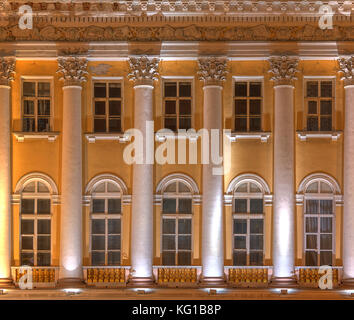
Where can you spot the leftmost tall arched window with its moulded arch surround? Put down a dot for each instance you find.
(36, 193)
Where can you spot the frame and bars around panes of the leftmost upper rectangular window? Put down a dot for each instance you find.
(51, 97)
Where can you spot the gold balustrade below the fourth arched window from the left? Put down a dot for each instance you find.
(248, 277)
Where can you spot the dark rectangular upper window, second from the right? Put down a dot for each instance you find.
(248, 106)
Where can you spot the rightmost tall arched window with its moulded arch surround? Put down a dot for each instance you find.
(319, 192)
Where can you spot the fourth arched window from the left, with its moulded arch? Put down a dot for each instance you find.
(248, 219)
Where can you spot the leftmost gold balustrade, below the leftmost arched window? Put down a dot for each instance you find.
(42, 277)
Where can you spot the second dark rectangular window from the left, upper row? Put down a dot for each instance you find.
(107, 107)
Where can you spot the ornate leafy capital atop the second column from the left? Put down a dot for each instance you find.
(73, 70)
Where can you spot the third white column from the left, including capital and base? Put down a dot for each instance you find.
(143, 72)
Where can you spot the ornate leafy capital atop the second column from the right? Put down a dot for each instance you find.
(283, 69)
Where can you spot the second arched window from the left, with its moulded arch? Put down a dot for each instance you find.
(106, 193)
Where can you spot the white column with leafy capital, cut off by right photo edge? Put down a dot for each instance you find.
(347, 67)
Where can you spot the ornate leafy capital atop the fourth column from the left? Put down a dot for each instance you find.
(212, 70)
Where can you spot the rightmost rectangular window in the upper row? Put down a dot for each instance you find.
(319, 103)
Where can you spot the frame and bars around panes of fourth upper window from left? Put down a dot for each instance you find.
(247, 79)
